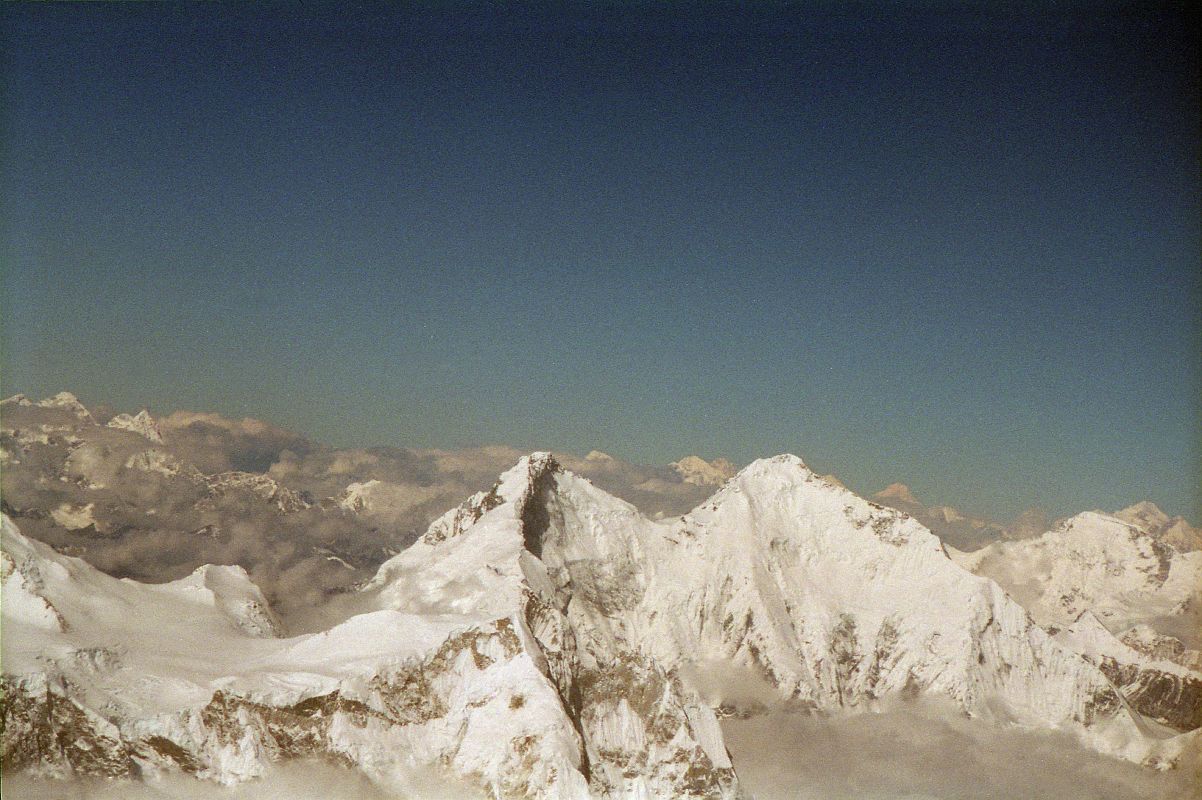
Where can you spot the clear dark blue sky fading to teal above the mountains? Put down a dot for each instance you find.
(906, 242)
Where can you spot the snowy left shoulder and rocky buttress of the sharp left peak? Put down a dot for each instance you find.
(461, 654)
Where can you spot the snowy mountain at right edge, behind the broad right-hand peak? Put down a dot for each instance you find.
(1097, 581)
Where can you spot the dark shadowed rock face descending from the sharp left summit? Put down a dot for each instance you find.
(600, 683)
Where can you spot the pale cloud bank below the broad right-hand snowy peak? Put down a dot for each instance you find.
(930, 751)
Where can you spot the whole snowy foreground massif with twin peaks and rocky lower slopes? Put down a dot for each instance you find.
(548, 641)
